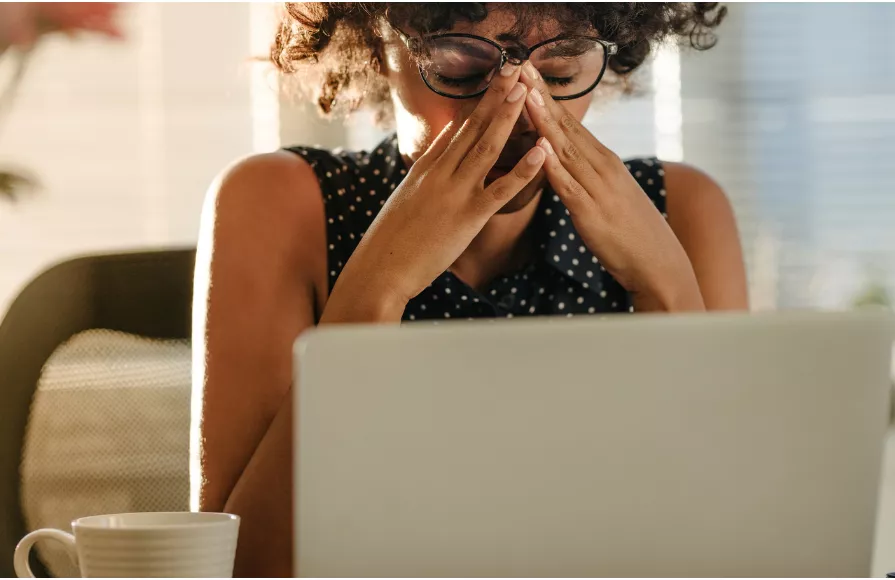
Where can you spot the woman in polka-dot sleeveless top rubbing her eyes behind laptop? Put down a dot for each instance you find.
(491, 200)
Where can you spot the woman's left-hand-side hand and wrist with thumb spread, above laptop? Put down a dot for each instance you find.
(440, 206)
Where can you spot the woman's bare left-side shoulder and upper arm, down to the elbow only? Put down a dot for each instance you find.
(259, 262)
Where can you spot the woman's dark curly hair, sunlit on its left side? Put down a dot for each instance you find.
(337, 47)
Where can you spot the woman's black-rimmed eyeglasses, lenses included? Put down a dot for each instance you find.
(461, 66)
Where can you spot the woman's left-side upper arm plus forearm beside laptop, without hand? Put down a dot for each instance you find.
(258, 269)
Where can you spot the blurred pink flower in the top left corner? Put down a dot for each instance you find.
(22, 23)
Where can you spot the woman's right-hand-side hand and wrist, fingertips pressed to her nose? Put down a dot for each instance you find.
(615, 218)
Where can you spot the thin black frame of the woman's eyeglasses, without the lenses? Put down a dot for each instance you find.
(609, 49)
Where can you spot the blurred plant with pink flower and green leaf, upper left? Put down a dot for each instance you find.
(22, 26)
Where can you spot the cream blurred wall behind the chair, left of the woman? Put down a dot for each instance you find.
(126, 136)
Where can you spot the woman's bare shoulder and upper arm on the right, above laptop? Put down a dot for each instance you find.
(702, 218)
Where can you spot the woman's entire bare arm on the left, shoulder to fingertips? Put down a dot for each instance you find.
(261, 276)
